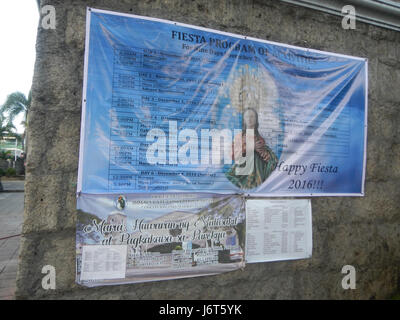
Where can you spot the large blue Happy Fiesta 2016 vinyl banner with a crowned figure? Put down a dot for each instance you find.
(169, 107)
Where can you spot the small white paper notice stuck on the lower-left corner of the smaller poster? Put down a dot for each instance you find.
(100, 262)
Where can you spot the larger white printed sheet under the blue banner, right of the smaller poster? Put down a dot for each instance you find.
(278, 230)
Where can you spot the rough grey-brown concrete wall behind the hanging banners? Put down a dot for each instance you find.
(363, 232)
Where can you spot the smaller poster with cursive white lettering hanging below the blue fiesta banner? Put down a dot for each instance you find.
(130, 238)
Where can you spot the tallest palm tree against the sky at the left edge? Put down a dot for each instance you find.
(15, 104)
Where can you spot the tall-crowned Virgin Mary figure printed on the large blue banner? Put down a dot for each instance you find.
(248, 90)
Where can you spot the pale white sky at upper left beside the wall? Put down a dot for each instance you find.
(19, 20)
